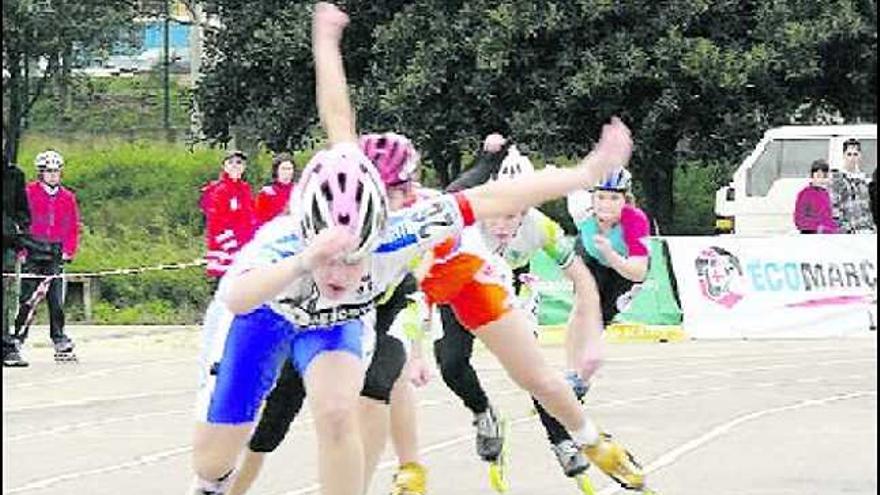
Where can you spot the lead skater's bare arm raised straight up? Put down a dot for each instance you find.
(331, 88)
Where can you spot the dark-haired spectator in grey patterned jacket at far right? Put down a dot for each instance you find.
(849, 193)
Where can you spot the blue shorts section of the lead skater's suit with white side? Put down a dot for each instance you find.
(241, 372)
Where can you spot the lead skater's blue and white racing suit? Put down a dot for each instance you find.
(242, 358)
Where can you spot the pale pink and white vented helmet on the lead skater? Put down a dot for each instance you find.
(341, 187)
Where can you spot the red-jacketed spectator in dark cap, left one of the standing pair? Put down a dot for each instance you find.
(229, 214)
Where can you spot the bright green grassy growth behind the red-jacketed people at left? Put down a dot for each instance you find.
(139, 207)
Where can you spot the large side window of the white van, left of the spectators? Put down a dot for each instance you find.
(784, 159)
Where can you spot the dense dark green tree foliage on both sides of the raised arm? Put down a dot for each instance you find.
(694, 79)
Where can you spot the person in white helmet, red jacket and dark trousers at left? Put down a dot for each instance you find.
(54, 231)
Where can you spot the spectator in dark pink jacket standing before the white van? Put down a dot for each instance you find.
(812, 211)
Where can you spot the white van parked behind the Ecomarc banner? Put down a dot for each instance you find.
(761, 197)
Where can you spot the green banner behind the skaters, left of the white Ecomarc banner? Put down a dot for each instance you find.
(653, 304)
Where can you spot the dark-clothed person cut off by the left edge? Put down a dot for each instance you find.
(16, 222)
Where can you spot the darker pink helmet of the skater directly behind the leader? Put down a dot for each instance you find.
(394, 156)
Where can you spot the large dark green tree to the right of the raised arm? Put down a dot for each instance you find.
(694, 79)
